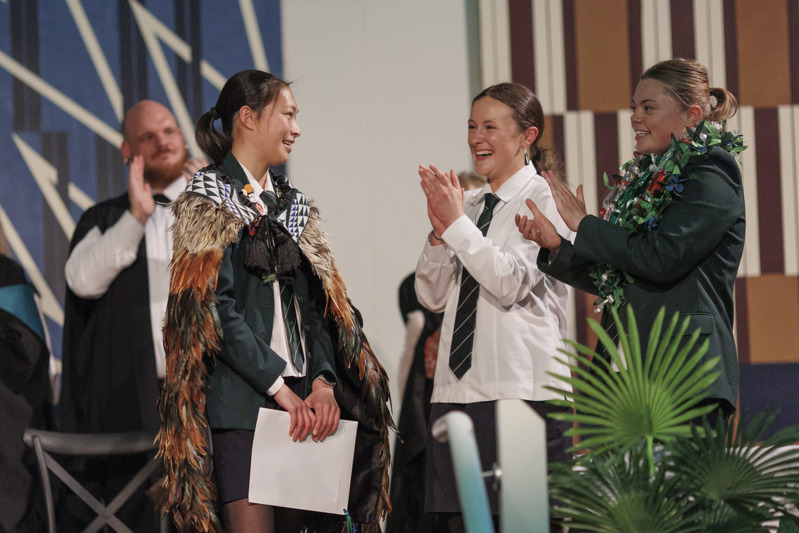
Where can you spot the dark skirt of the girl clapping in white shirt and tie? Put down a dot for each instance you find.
(441, 492)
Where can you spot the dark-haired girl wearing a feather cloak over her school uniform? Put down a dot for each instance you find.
(258, 316)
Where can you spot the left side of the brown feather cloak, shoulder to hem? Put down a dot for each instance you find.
(192, 330)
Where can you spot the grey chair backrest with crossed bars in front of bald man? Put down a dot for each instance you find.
(45, 443)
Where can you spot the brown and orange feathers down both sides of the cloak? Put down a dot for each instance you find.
(192, 331)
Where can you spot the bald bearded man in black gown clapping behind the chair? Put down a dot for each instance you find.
(117, 286)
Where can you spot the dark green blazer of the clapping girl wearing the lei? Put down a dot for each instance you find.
(688, 263)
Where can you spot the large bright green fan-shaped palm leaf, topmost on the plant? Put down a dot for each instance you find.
(651, 395)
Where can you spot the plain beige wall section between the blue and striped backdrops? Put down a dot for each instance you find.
(382, 87)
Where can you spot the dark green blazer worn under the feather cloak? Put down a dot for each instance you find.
(246, 366)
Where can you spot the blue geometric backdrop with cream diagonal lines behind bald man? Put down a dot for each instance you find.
(68, 71)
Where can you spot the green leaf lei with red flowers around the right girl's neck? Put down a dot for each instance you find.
(650, 183)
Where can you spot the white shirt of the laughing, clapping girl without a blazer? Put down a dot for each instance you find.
(521, 313)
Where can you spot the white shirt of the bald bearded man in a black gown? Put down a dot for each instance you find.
(98, 258)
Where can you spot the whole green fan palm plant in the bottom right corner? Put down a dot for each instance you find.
(726, 479)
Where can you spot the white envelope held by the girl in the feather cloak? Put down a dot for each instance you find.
(308, 475)
